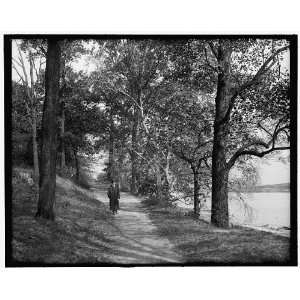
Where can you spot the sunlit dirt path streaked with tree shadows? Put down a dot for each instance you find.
(136, 240)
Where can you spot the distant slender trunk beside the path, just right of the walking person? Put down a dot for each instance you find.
(134, 156)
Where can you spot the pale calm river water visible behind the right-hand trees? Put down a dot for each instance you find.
(263, 211)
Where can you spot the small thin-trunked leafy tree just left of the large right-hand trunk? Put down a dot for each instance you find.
(192, 138)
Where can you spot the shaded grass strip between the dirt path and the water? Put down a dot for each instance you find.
(201, 243)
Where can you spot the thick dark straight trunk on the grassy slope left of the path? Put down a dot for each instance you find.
(49, 134)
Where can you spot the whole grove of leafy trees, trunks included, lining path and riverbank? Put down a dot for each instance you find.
(174, 115)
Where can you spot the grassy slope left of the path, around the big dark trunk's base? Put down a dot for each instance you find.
(79, 234)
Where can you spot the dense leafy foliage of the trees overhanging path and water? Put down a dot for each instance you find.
(152, 104)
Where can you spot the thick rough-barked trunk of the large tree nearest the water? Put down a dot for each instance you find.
(219, 214)
